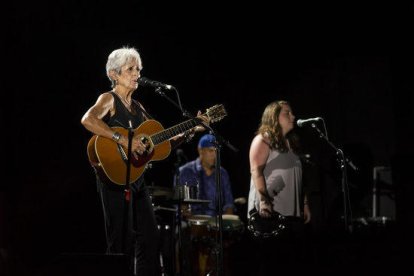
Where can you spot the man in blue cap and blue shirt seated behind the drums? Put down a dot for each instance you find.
(201, 172)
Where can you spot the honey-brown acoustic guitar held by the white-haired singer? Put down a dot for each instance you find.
(112, 158)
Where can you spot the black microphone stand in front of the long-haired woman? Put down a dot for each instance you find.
(344, 180)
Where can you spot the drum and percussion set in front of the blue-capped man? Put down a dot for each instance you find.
(201, 232)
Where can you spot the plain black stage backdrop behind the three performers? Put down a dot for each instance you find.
(351, 64)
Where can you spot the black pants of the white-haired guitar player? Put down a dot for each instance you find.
(142, 235)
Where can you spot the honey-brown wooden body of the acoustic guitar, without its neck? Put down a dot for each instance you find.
(107, 154)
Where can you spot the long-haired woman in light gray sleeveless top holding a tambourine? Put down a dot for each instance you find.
(276, 185)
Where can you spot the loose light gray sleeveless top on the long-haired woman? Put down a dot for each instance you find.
(283, 176)
